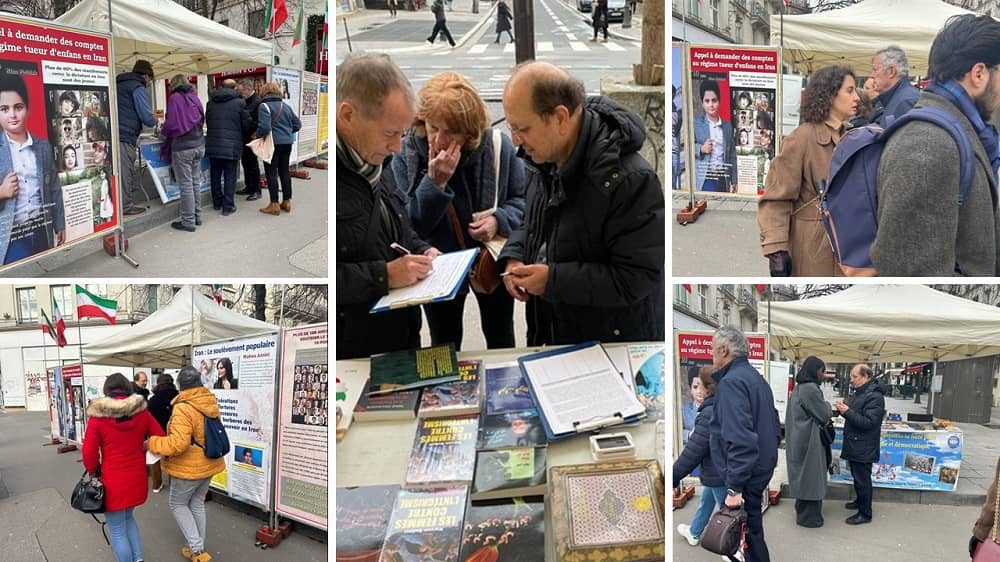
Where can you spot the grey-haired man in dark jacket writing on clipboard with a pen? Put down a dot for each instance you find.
(375, 107)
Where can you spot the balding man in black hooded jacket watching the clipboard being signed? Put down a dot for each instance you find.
(589, 258)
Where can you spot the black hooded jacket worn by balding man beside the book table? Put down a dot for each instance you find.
(600, 219)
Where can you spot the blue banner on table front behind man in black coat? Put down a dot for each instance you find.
(909, 460)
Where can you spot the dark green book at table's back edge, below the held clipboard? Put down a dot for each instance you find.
(413, 368)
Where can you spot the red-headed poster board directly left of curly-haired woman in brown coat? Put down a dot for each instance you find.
(731, 95)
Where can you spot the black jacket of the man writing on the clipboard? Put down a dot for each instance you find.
(363, 251)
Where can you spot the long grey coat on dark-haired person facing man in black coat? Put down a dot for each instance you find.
(804, 451)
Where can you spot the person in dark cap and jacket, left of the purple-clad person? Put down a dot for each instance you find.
(133, 113)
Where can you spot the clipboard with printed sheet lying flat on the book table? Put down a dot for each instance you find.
(578, 389)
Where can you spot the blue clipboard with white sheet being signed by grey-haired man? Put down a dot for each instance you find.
(449, 271)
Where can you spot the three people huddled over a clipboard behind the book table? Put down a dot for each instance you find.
(581, 211)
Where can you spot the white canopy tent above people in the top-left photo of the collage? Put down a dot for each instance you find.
(173, 38)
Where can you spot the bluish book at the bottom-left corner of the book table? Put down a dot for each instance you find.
(362, 515)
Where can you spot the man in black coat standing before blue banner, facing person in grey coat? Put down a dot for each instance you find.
(862, 431)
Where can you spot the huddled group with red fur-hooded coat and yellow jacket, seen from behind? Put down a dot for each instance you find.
(123, 425)
